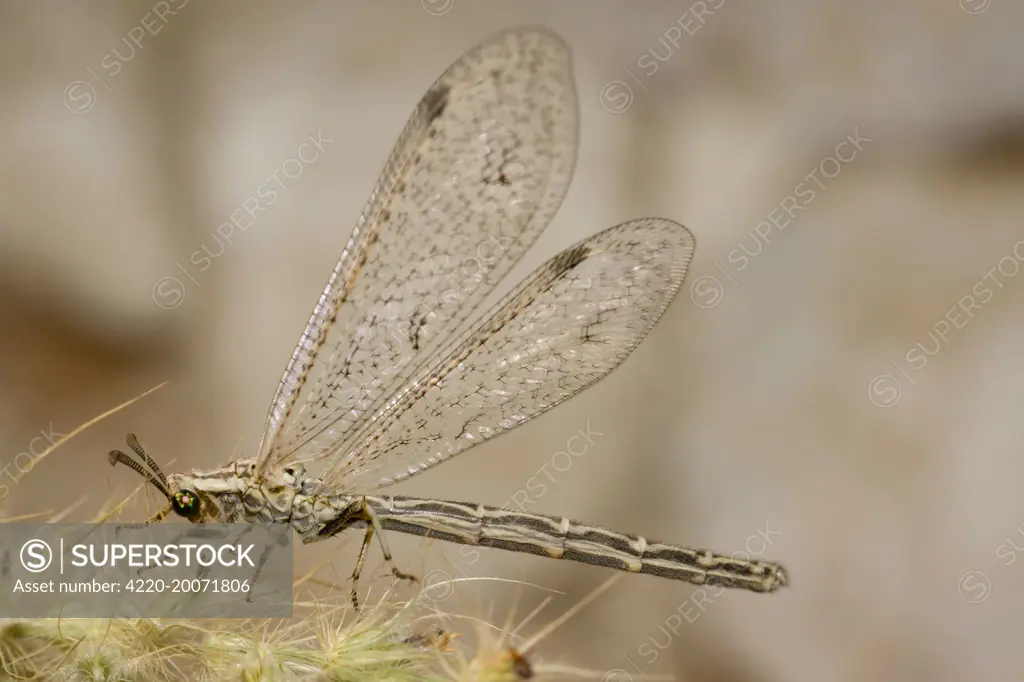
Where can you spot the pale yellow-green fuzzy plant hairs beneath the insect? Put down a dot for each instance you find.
(327, 641)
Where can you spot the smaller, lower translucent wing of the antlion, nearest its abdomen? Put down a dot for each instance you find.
(567, 326)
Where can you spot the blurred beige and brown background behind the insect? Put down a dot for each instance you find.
(845, 381)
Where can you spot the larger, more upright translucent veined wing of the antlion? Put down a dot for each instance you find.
(477, 175)
